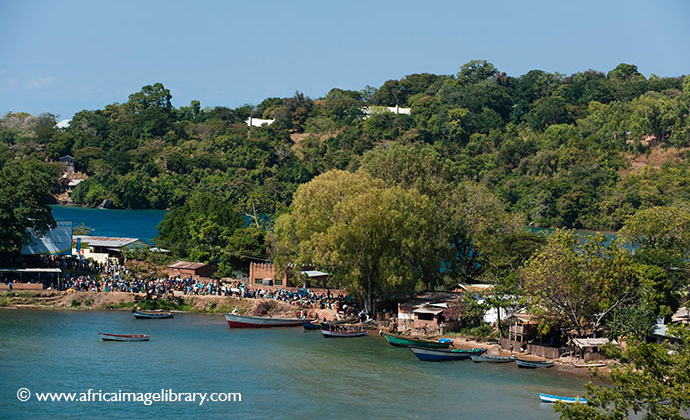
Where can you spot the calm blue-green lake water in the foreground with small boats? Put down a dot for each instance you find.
(280, 373)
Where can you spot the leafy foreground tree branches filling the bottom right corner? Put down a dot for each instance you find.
(649, 384)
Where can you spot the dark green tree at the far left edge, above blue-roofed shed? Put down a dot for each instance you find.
(24, 198)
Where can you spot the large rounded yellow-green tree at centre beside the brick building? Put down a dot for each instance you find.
(372, 239)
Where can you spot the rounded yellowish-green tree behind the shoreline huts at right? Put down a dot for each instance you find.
(577, 284)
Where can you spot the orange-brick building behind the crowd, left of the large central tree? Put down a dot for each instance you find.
(262, 274)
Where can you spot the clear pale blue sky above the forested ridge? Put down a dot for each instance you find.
(65, 56)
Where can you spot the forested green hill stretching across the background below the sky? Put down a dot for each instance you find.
(582, 151)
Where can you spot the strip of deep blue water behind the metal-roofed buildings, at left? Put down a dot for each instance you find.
(120, 223)
